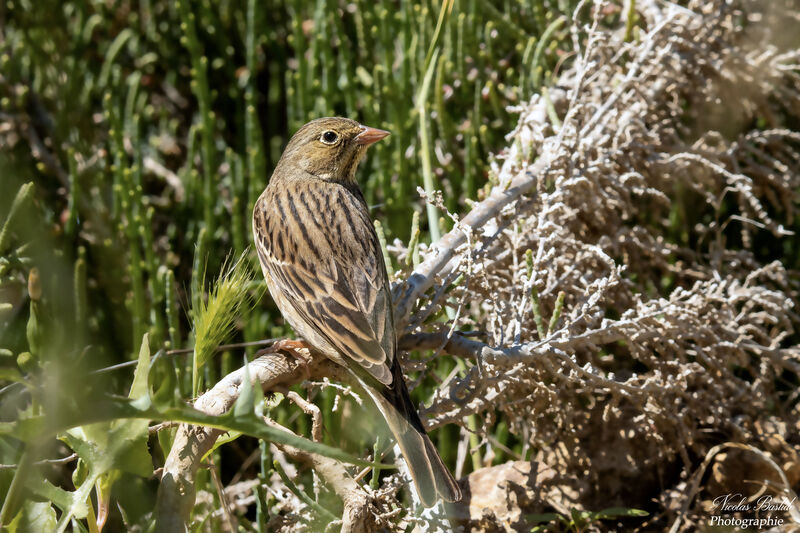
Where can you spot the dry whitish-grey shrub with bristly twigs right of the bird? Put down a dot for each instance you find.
(674, 336)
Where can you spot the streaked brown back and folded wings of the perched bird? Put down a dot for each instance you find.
(319, 246)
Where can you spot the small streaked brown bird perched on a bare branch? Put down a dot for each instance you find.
(325, 270)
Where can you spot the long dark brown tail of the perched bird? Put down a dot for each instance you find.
(431, 477)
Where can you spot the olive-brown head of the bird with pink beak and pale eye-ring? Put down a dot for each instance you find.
(330, 148)
